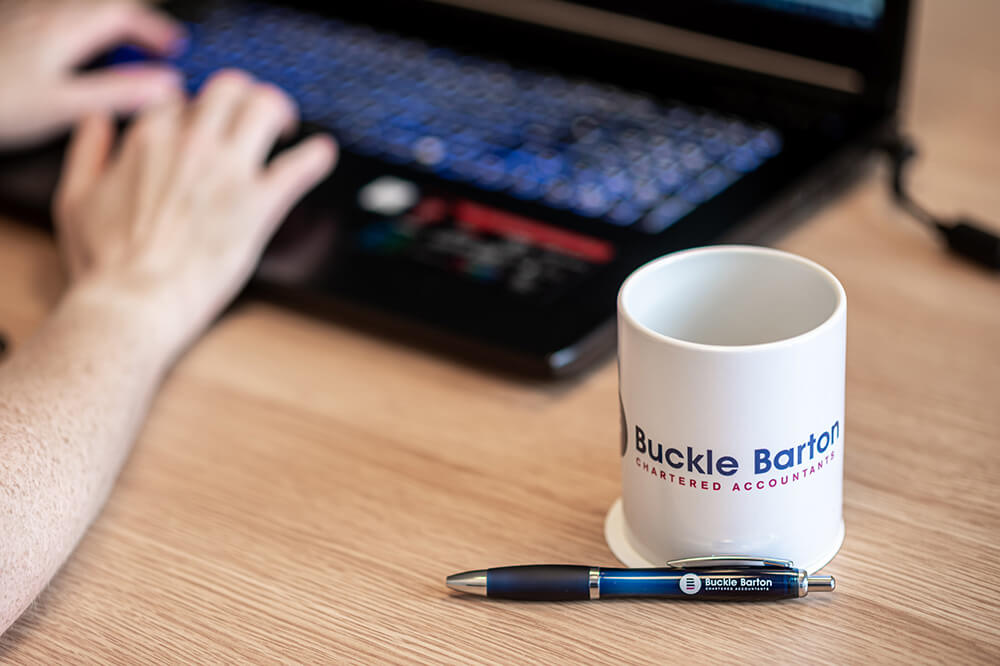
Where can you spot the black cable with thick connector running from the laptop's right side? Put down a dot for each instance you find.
(965, 237)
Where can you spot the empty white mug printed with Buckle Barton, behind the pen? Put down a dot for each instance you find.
(731, 370)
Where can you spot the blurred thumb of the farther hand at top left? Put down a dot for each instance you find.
(122, 89)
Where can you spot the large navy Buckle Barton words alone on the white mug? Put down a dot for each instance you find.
(763, 460)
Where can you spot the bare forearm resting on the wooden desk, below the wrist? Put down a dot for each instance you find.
(71, 402)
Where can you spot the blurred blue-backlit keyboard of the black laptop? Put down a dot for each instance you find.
(572, 144)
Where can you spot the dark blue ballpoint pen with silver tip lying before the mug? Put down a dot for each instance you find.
(714, 578)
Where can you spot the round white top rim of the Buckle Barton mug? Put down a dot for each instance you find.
(838, 311)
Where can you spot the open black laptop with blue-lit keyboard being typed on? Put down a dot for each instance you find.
(507, 163)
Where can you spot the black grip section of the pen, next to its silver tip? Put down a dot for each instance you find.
(539, 582)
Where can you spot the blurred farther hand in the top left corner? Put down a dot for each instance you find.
(43, 41)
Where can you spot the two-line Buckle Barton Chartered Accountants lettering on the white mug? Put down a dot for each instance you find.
(701, 468)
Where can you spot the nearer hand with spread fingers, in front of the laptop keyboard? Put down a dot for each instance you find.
(172, 224)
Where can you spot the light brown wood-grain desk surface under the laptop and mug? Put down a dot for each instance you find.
(301, 490)
